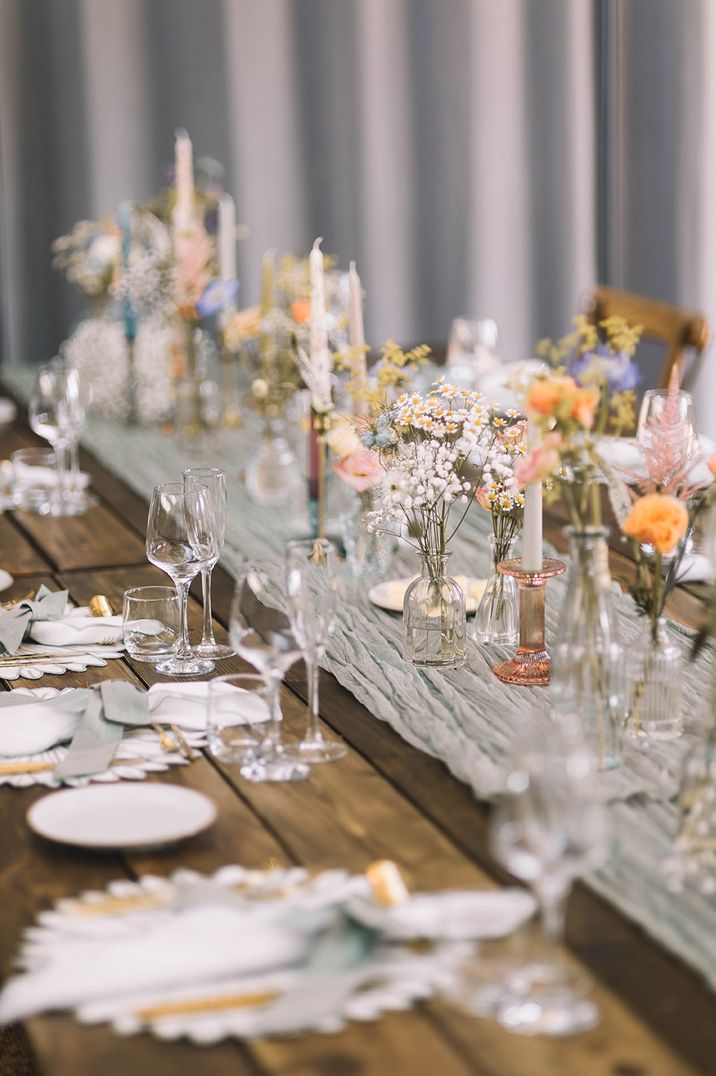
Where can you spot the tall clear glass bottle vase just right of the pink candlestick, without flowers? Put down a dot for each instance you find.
(588, 682)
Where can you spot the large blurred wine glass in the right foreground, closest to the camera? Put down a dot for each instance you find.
(549, 829)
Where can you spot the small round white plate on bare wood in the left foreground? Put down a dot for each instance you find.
(122, 816)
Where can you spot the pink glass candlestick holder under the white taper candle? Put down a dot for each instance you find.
(531, 667)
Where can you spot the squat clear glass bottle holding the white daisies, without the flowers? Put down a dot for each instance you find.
(434, 625)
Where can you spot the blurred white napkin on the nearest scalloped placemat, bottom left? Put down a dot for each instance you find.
(195, 946)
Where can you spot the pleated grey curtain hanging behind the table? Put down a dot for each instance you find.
(485, 158)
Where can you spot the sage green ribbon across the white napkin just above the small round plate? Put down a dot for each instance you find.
(113, 706)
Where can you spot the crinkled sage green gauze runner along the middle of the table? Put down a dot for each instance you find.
(467, 718)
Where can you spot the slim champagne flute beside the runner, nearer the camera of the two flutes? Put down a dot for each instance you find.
(312, 589)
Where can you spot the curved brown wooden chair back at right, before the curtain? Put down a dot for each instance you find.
(673, 327)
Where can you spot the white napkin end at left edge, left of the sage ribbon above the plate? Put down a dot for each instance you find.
(30, 726)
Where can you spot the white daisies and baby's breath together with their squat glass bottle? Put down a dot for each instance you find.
(428, 445)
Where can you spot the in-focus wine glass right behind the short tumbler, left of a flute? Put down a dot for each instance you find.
(181, 540)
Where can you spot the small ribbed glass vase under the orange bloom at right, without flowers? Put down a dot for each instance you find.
(654, 685)
